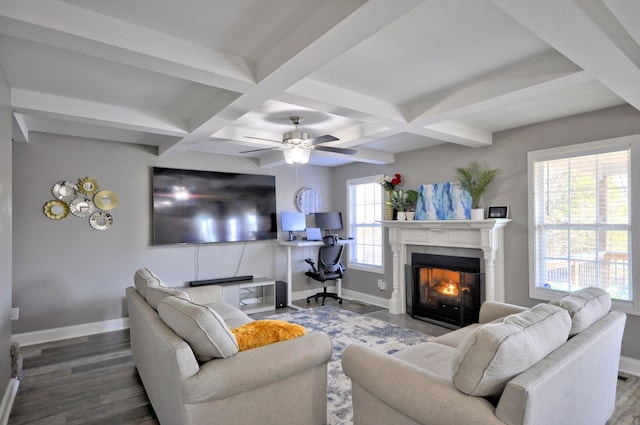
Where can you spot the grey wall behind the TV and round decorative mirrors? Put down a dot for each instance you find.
(65, 273)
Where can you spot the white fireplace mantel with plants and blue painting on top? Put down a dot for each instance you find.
(486, 235)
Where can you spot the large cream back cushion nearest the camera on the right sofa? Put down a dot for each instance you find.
(496, 352)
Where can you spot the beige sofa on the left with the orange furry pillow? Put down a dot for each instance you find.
(279, 383)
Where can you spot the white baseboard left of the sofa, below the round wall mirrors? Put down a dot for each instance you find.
(56, 334)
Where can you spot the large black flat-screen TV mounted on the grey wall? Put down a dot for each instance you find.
(209, 206)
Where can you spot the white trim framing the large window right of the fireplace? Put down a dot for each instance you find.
(602, 146)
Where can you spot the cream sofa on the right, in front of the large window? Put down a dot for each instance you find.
(499, 371)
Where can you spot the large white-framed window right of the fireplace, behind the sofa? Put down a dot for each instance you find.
(581, 231)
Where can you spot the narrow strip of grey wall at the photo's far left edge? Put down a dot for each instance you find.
(5, 233)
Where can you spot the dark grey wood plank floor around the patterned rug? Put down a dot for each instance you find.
(92, 380)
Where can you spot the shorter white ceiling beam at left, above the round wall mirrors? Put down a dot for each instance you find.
(83, 111)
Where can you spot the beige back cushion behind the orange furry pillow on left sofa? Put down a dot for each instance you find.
(202, 328)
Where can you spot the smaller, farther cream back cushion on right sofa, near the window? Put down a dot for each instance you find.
(585, 307)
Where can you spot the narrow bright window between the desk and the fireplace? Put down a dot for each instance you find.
(365, 204)
